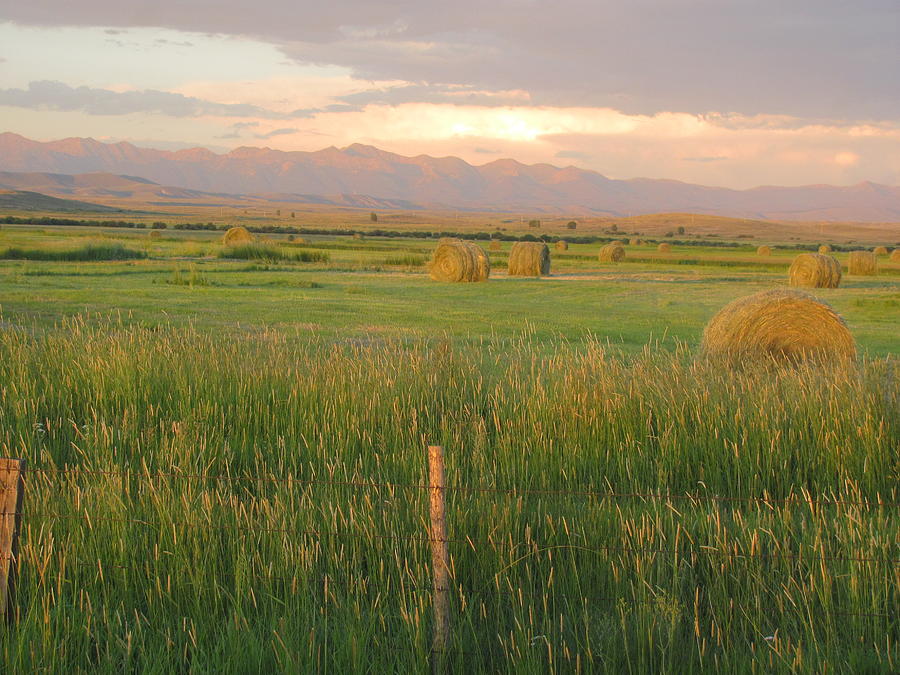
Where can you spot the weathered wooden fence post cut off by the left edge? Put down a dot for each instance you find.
(12, 488)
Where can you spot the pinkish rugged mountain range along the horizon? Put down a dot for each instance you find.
(366, 177)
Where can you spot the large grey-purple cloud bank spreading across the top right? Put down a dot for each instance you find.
(802, 58)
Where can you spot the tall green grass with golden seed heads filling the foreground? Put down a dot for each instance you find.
(147, 563)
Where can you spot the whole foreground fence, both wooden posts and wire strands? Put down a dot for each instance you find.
(13, 475)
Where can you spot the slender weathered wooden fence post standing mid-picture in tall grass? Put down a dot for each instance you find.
(440, 560)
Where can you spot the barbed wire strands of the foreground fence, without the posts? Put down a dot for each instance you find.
(50, 474)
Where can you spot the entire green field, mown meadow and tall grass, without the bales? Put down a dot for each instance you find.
(228, 458)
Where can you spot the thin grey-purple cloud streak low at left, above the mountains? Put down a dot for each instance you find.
(51, 95)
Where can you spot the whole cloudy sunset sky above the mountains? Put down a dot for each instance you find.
(733, 93)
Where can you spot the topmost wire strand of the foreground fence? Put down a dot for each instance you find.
(513, 492)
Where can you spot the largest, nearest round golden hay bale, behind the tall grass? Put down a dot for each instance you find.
(784, 326)
